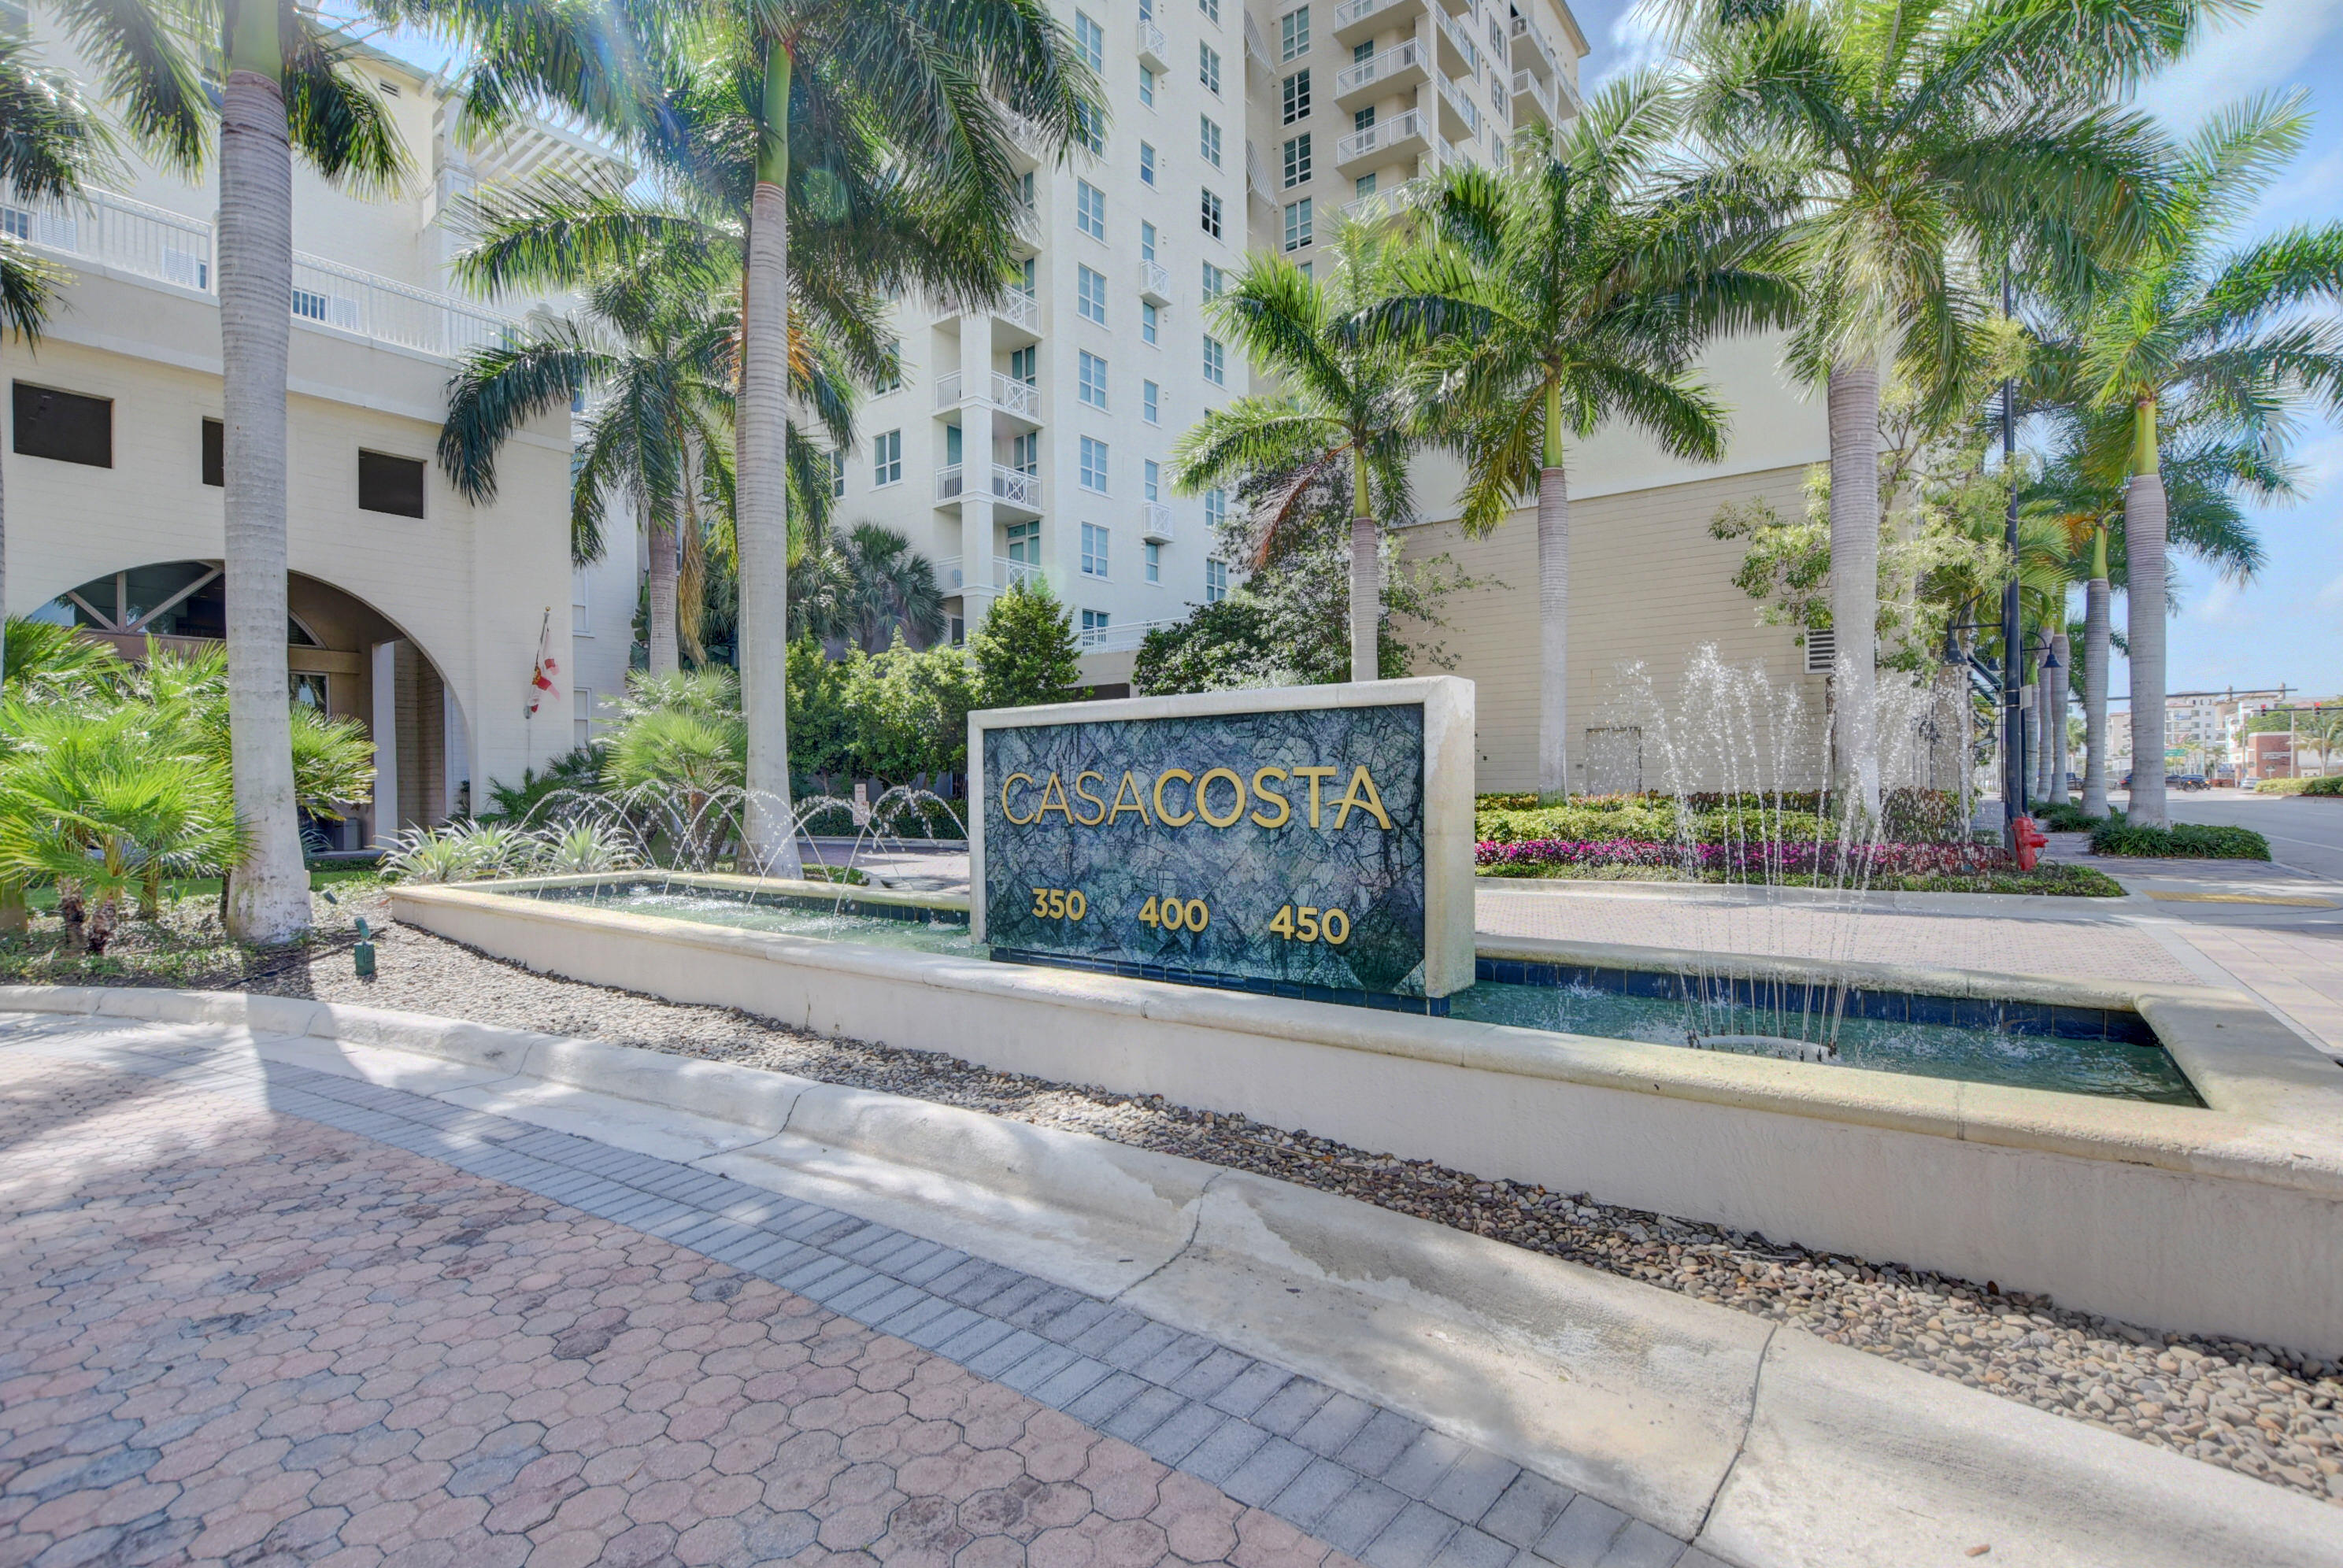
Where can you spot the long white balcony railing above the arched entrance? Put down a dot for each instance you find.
(149, 243)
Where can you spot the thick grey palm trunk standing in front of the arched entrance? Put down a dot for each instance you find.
(257, 282)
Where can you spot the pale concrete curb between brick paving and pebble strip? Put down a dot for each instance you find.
(1765, 1445)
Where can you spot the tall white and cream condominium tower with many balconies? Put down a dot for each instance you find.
(1032, 439)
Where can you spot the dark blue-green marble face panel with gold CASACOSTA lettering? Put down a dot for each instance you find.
(1273, 845)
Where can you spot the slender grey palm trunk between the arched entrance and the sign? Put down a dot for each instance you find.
(763, 507)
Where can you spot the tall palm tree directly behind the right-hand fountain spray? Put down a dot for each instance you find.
(1911, 151)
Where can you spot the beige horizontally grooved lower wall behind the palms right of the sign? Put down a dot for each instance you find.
(1646, 587)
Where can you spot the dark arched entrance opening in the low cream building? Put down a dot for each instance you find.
(343, 655)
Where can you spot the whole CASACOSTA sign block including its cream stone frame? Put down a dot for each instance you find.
(1311, 840)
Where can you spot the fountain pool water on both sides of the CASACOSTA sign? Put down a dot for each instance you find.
(2108, 1068)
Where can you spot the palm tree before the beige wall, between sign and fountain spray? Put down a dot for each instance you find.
(1571, 304)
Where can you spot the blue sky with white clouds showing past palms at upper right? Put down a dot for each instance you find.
(2288, 625)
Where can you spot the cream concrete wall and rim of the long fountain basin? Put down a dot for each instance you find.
(2131, 1211)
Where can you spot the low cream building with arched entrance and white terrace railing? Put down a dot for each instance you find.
(414, 611)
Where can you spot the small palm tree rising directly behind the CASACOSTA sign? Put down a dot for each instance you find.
(1348, 411)
